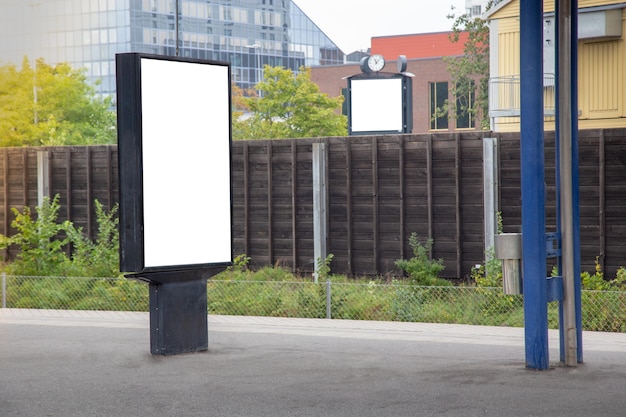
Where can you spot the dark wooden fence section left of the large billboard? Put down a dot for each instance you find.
(78, 174)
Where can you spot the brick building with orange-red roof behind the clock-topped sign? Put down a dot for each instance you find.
(431, 81)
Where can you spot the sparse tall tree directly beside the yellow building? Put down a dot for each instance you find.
(470, 72)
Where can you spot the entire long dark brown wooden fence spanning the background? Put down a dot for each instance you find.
(380, 190)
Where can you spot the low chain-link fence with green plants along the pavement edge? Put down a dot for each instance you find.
(602, 310)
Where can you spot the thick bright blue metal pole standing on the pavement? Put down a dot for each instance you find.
(533, 185)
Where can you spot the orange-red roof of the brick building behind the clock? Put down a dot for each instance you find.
(424, 45)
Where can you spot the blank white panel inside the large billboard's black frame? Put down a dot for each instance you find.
(185, 119)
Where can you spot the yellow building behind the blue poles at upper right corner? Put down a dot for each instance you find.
(601, 75)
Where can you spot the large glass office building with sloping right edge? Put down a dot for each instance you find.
(88, 33)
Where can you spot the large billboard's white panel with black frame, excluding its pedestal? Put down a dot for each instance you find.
(174, 145)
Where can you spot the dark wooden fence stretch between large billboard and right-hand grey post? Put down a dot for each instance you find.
(380, 190)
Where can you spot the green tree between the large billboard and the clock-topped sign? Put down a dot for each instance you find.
(290, 106)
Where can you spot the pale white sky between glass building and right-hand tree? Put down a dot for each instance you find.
(351, 24)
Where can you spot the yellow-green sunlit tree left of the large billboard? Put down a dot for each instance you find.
(49, 105)
